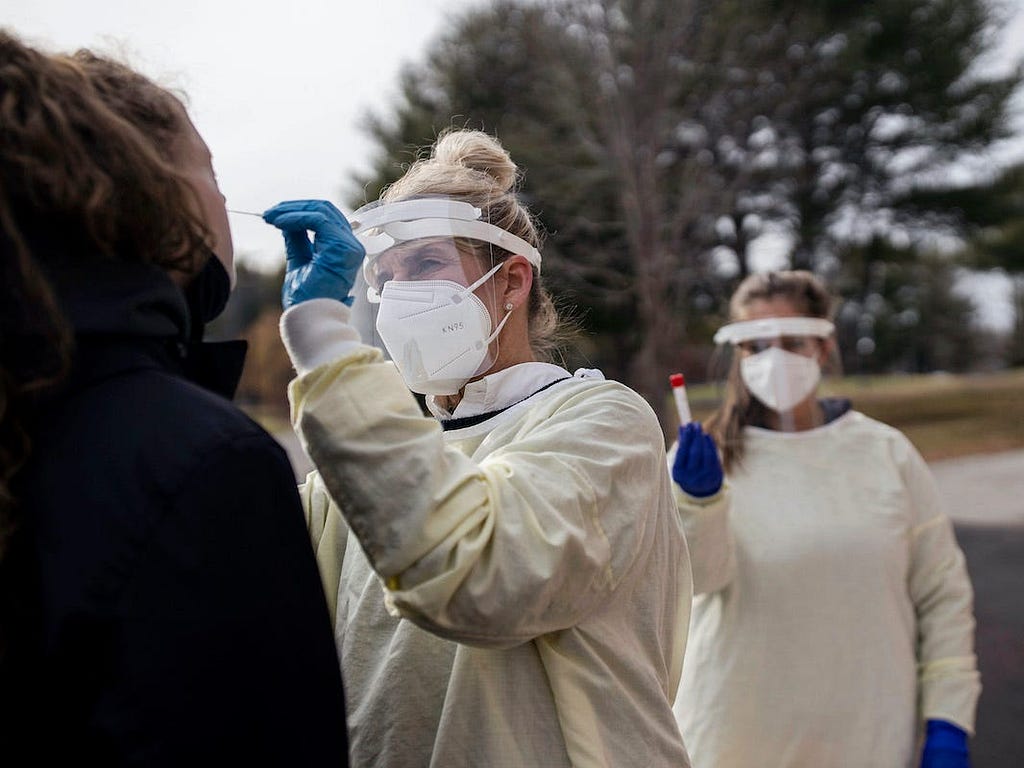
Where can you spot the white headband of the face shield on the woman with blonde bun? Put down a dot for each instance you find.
(381, 227)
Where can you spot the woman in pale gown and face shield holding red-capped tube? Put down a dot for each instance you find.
(834, 619)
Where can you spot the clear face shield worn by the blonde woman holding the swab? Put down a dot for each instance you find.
(430, 288)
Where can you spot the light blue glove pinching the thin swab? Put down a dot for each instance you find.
(325, 269)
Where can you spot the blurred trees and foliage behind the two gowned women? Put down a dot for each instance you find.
(672, 148)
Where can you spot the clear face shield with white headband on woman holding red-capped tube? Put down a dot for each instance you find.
(779, 360)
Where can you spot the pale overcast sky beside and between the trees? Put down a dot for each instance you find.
(278, 91)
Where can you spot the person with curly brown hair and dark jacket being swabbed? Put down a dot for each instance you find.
(160, 605)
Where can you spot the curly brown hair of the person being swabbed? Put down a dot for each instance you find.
(87, 175)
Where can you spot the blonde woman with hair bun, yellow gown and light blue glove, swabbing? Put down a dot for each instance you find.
(510, 580)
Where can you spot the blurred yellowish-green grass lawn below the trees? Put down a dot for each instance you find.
(944, 415)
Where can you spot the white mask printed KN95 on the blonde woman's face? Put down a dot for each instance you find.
(438, 332)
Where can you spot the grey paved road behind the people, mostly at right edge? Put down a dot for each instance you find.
(986, 498)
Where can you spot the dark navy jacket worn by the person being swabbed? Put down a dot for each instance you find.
(169, 610)
